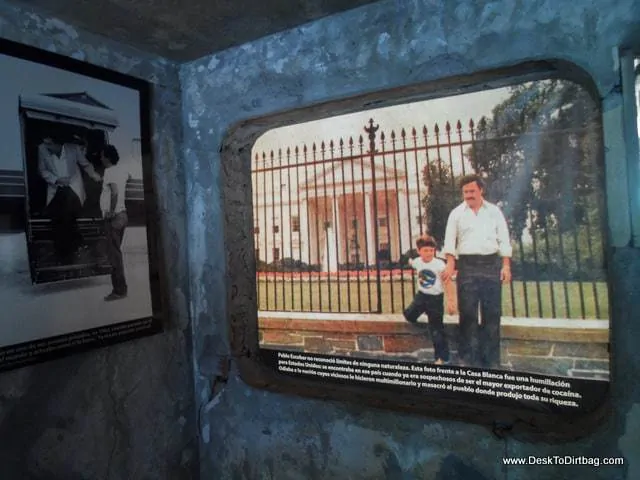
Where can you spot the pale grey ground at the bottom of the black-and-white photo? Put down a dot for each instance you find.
(30, 312)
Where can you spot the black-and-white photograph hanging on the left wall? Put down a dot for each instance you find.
(74, 251)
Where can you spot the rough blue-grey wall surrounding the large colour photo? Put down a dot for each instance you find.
(253, 434)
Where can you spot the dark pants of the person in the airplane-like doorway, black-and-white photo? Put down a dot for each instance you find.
(64, 210)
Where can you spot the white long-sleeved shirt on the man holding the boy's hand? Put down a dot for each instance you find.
(482, 233)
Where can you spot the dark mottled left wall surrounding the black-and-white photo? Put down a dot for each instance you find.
(124, 412)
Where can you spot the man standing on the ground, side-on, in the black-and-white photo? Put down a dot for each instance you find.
(112, 203)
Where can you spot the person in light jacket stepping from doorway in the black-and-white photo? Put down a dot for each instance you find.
(59, 165)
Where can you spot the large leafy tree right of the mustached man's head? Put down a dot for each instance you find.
(540, 154)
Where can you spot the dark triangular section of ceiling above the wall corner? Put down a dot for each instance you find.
(188, 29)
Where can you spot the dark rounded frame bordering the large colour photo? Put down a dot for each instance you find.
(291, 372)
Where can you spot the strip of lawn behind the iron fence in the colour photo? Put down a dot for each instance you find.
(531, 299)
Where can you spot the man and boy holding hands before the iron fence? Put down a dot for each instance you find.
(478, 252)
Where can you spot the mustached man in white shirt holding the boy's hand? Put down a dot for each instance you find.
(478, 246)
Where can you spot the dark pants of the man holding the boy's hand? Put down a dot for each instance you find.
(478, 284)
